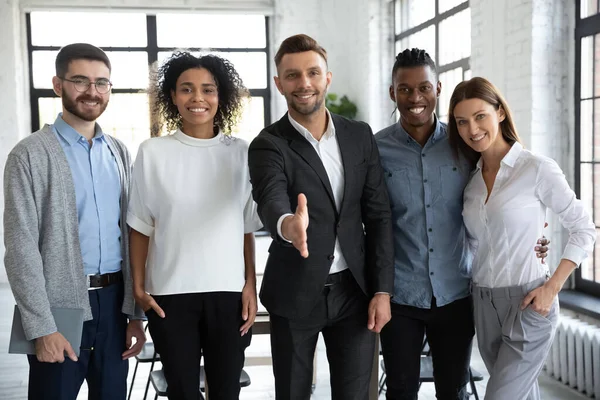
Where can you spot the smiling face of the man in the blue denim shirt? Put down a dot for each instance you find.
(415, 91)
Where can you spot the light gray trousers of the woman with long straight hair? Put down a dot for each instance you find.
(513, 343)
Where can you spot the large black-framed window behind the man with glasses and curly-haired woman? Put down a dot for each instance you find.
(134, 42)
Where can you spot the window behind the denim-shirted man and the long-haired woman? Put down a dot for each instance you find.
(443, 29)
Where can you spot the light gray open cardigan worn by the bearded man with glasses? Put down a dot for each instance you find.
(41, 234)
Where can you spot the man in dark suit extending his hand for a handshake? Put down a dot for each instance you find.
(330, 269)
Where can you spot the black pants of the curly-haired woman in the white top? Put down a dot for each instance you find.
(195, 325)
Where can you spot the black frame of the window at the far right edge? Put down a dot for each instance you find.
(584, 27)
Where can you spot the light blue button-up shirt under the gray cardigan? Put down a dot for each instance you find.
(97, 192)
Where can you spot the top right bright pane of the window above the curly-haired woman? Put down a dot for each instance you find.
(210, 30)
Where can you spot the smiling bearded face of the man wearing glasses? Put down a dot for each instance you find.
(88, 105)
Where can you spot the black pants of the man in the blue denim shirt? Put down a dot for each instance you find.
(449, 330)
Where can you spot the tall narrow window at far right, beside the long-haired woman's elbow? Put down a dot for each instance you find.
(587, 133)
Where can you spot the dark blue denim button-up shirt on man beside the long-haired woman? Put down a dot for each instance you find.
(425, 186)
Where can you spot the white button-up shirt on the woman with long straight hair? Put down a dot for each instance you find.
(505, 230)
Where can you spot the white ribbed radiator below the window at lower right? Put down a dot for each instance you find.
(574, 358)
